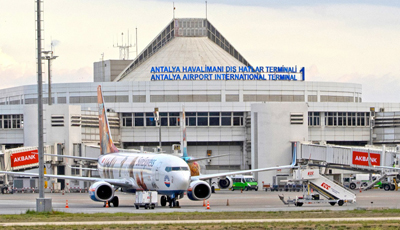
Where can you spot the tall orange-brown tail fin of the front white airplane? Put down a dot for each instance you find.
(106, 143)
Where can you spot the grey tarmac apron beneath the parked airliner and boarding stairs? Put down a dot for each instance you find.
(223, 200)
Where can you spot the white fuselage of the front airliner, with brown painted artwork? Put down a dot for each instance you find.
(164, 173)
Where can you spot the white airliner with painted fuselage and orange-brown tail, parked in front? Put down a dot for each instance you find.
(167, 174)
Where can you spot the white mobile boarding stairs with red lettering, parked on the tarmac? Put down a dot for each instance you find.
(315, 186)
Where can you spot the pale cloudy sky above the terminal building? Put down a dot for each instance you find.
(336, 41)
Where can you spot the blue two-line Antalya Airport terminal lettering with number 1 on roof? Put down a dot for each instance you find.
(226, 73)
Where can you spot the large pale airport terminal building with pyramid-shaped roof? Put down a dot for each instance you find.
(254, 115)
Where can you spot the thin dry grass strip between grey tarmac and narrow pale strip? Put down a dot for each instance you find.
(56, 216)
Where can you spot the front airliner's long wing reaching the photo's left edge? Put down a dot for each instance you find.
(116, 182)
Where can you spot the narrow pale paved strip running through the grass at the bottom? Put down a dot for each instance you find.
(203, 221)
